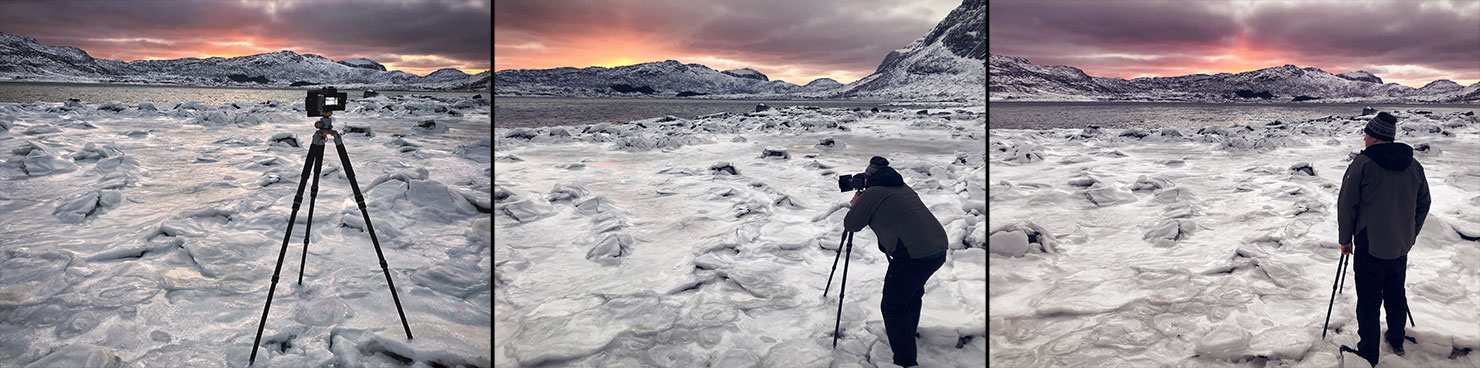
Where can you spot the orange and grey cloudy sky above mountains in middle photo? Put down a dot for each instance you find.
(785, 39)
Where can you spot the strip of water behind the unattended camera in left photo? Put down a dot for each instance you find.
(171, 95)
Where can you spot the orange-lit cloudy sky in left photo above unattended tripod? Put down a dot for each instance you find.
(414, 36)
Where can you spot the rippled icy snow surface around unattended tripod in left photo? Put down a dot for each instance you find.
(146, 236)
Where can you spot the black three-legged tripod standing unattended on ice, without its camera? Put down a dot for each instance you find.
(316, 159)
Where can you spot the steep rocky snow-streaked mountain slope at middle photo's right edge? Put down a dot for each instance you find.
(946, 64)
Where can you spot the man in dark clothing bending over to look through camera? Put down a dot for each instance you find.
(912, 240)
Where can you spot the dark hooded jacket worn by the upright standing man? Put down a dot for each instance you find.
(1385, 191)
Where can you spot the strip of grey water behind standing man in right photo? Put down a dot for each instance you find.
(1173, 115)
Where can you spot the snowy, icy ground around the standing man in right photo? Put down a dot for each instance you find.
(1216, 246)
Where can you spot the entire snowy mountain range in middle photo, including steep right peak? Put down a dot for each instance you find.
(948, 64)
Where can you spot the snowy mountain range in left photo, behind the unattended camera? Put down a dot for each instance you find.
(23, 58)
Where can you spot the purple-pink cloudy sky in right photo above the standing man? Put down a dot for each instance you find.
(1408, 42)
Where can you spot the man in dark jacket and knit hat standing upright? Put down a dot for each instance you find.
(1382, 208)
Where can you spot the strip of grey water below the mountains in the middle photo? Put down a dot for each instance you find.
(563, 112)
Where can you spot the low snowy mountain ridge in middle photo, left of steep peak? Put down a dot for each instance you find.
(650, 79)
